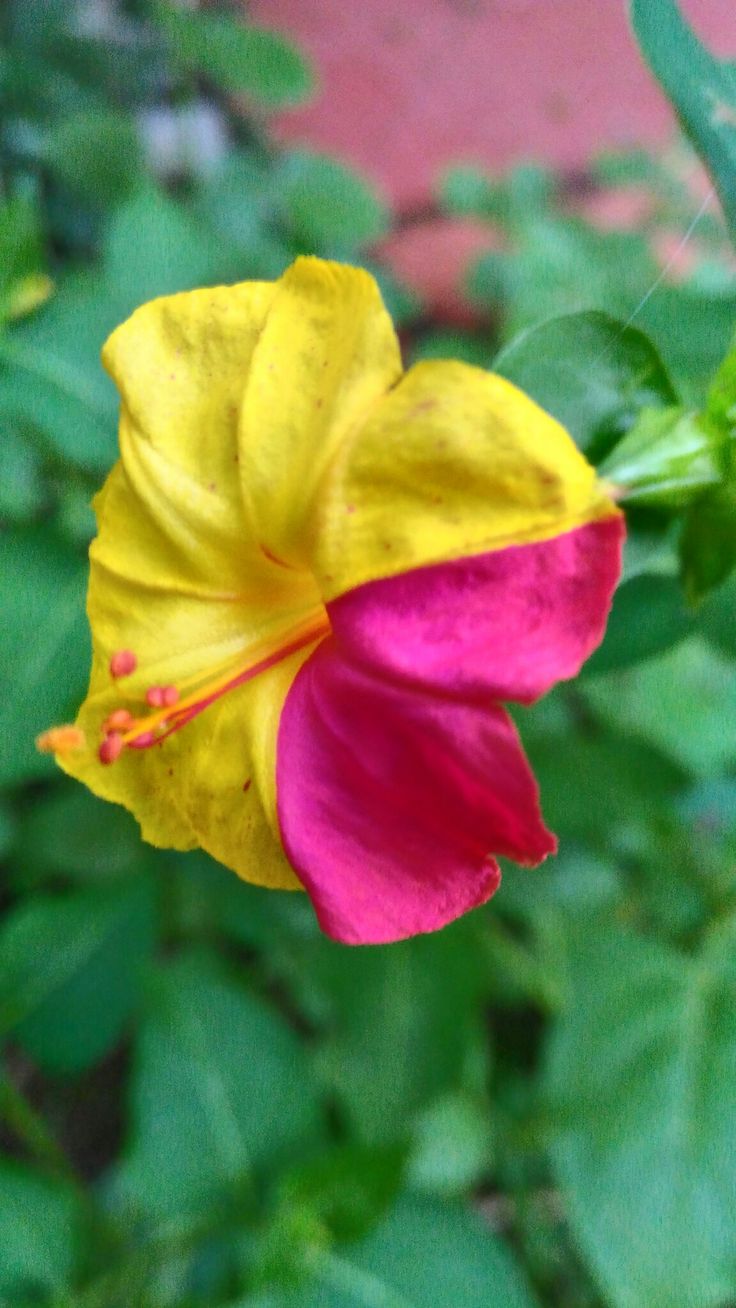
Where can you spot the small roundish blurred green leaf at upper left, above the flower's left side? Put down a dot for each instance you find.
(96, 155)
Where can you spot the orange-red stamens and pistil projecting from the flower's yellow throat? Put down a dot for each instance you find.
(175, 711)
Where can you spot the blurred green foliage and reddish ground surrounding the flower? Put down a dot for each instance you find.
(203, 1102)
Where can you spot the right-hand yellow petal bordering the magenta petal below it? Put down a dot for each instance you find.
(452, 464)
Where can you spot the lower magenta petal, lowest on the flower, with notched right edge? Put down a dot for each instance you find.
(392, 801)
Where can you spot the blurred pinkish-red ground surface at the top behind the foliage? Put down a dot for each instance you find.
(409, 87)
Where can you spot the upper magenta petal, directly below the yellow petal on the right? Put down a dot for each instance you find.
(505, 626)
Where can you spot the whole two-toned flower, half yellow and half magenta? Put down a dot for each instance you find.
(316, 579)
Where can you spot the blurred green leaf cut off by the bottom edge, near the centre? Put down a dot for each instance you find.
(426, 1255)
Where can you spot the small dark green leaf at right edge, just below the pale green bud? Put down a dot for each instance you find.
(708, 546)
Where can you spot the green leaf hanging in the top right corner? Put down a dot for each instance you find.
(701, 88)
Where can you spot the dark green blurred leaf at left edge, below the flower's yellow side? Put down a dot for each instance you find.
(70, 972)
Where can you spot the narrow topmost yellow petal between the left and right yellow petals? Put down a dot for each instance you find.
(327, 354)
